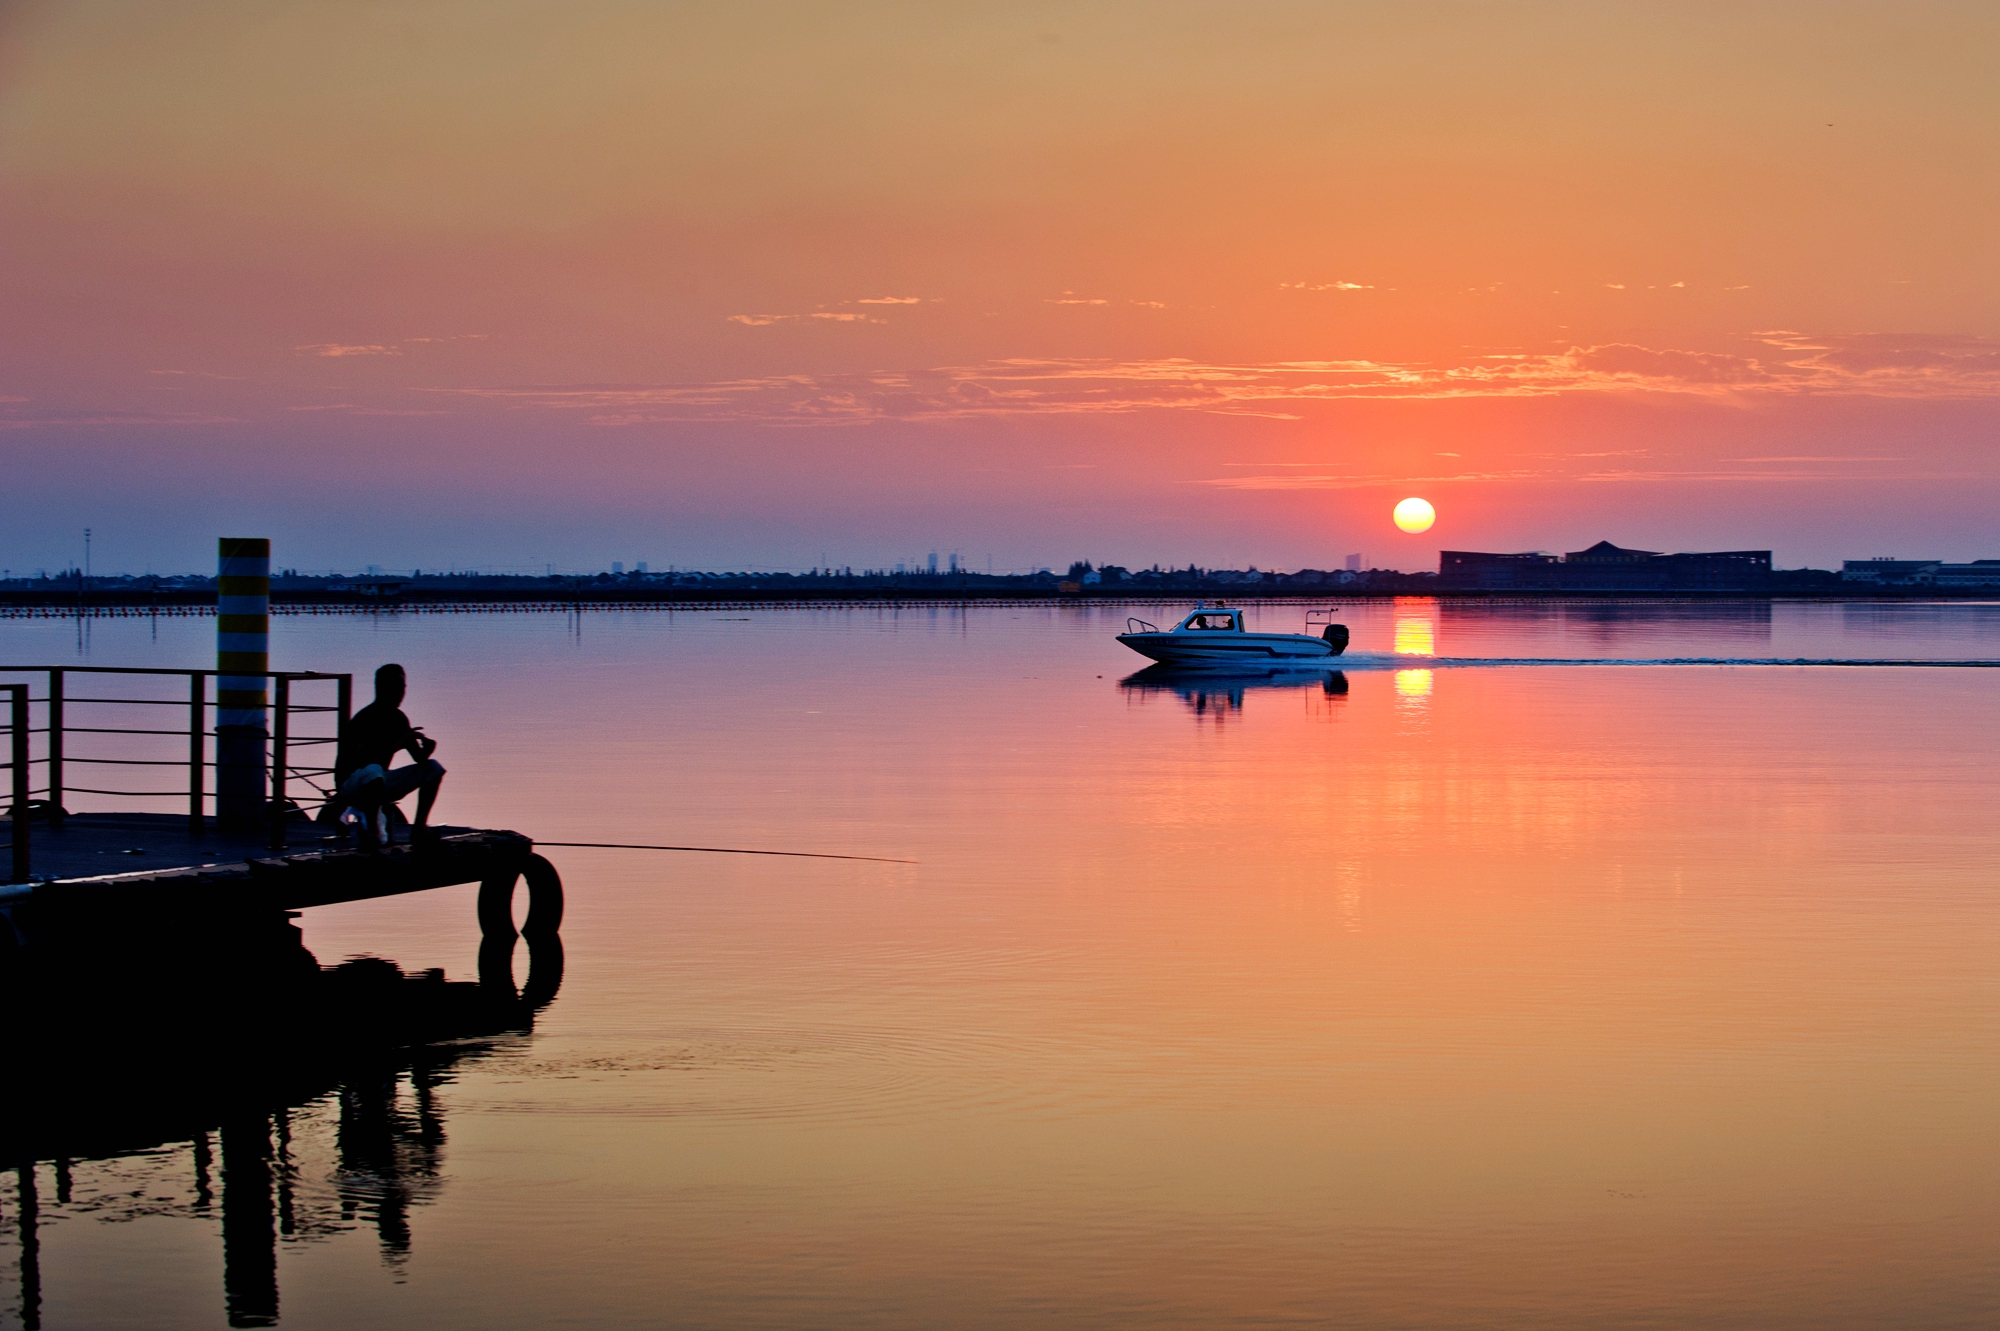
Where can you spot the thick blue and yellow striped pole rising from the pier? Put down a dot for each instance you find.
(243, 657)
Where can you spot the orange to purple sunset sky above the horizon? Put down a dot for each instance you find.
(519, 285)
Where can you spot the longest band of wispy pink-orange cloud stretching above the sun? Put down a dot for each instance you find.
(1783, 365)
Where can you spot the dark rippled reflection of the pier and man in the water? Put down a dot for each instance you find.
(301, 1118)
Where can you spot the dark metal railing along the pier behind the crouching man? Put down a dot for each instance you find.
(61, 708)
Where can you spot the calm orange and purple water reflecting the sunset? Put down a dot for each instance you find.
(1461, 998)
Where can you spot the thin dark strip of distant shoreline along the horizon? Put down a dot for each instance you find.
(199, 603)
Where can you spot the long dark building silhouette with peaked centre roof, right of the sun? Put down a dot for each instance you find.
(1605, 569)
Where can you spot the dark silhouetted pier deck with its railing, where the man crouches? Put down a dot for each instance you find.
(87, 874)
